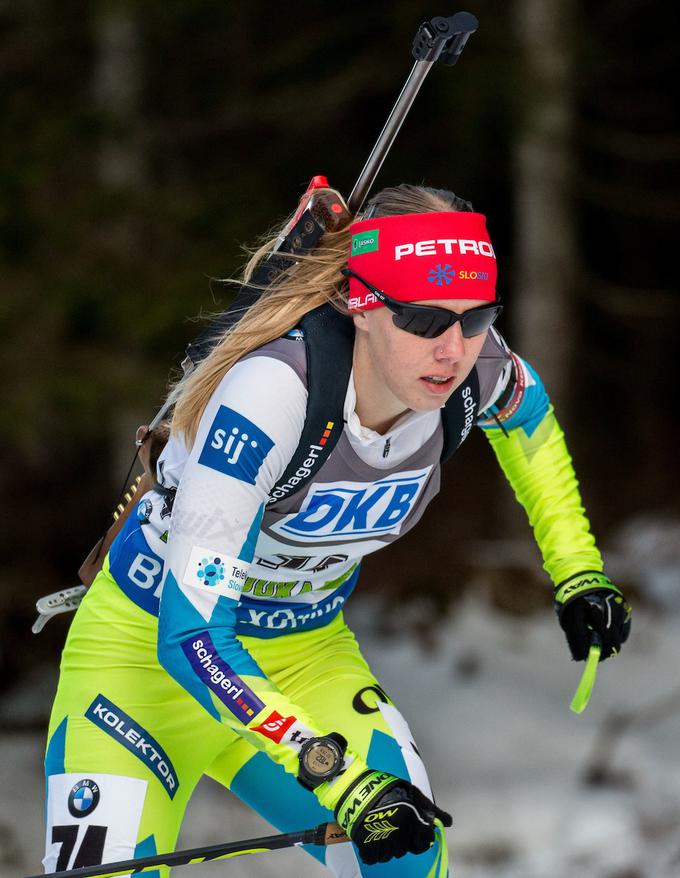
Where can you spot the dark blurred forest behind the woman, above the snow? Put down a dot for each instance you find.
(144, 142)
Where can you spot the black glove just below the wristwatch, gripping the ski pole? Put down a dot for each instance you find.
(387, 817)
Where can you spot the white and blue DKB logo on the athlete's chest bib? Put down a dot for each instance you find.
(355, 509)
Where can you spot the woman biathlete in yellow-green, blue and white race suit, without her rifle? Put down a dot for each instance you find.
(213, 640)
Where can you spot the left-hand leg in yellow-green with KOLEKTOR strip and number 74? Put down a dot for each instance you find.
(121, 759)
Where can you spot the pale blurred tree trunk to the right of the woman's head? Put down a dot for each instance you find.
(545, 248)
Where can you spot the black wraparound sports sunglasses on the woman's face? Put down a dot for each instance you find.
(428, 321)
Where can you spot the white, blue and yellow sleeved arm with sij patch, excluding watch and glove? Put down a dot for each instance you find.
(247, 434)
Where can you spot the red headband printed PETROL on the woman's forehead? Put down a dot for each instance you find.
(418, 256)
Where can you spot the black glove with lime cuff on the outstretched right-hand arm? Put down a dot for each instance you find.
(587, 604)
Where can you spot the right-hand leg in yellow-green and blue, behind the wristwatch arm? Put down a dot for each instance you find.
(324, 672)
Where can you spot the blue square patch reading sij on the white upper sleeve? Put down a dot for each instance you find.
(235, 446)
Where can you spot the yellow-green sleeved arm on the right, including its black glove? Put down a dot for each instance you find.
(529, 444)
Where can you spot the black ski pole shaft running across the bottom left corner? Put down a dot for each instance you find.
(324, 834)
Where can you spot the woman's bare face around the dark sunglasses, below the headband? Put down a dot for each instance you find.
(395, 371)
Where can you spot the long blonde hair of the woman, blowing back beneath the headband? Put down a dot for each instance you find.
(311, 280)
